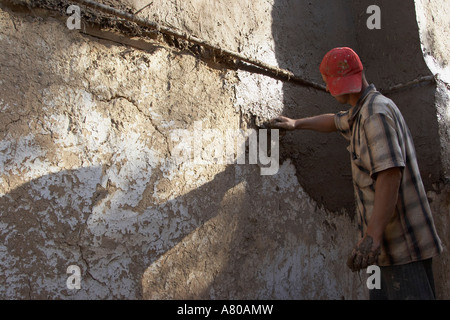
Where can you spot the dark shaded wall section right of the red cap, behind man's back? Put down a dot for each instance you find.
(393, 55)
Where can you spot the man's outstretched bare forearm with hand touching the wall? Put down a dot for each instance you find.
(321, 123)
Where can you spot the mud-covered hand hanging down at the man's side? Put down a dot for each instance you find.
(364, 254)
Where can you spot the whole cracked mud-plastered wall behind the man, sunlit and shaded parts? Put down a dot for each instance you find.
(92, 123)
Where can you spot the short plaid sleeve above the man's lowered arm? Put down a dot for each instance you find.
(383, 143)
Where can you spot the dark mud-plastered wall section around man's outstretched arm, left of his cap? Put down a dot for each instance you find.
(304, 31)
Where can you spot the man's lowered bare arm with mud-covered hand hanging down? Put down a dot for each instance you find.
(386, 195)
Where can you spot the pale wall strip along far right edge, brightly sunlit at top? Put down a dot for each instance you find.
(433, 18)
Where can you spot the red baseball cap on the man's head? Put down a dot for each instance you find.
(342, 70)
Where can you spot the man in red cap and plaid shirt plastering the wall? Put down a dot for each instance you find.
(395, 220)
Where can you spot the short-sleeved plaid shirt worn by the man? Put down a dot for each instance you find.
(379, 140)
